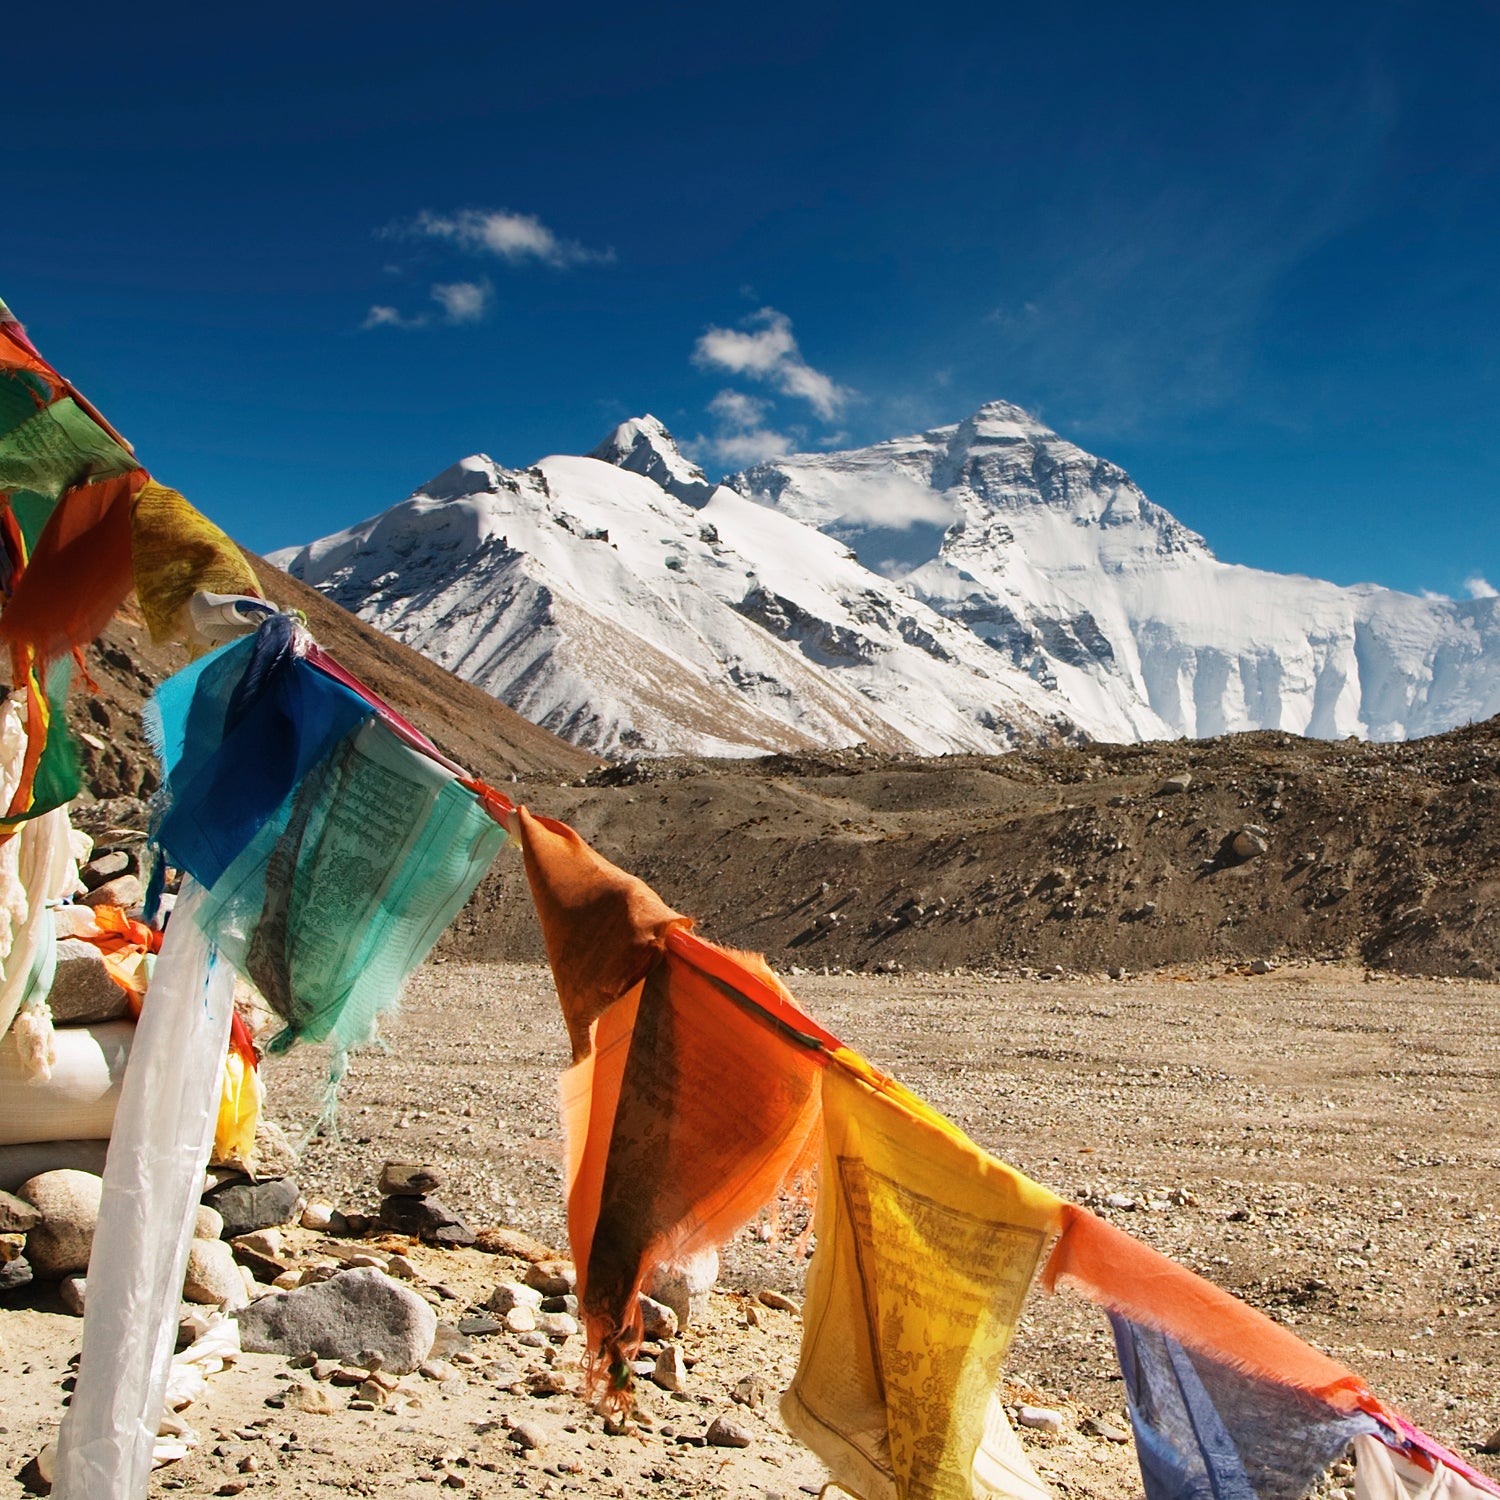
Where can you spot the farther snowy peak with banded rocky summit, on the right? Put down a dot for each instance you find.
(1061, 563)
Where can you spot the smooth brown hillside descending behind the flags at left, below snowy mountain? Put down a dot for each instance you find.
(473, 728)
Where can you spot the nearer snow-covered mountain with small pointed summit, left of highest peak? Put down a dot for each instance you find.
(616, 614)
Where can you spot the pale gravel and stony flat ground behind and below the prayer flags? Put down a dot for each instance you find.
(1315, 1139)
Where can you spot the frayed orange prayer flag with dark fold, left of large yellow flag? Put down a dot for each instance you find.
(694, 1096)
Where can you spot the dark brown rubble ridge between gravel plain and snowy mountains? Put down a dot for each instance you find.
(1069, 857)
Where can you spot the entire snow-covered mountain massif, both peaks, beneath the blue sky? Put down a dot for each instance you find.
(968, 589)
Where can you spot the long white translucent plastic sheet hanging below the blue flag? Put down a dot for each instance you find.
(152, 1181)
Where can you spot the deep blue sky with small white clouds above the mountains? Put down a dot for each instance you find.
(1252, 253)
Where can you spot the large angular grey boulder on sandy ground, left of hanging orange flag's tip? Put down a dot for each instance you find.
(344, 1318)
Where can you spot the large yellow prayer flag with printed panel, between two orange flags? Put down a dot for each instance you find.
(926, 1252)
